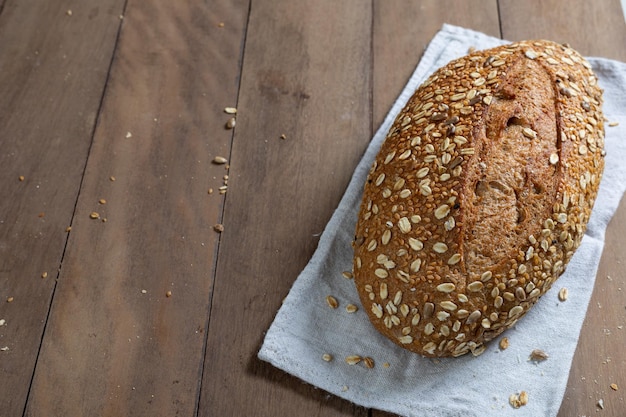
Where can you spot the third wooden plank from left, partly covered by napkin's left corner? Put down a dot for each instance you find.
(305, 75)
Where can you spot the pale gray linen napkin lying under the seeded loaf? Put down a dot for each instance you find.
(305, 327)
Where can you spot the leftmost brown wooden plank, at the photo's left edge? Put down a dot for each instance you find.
(53, 70)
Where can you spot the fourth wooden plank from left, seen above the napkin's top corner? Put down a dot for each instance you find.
(402, 30)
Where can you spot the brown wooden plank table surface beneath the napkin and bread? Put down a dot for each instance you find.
(114, 109)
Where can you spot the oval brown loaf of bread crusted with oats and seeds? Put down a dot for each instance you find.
(479, 196)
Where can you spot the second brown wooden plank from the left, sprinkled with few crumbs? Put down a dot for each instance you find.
(116, 344)
